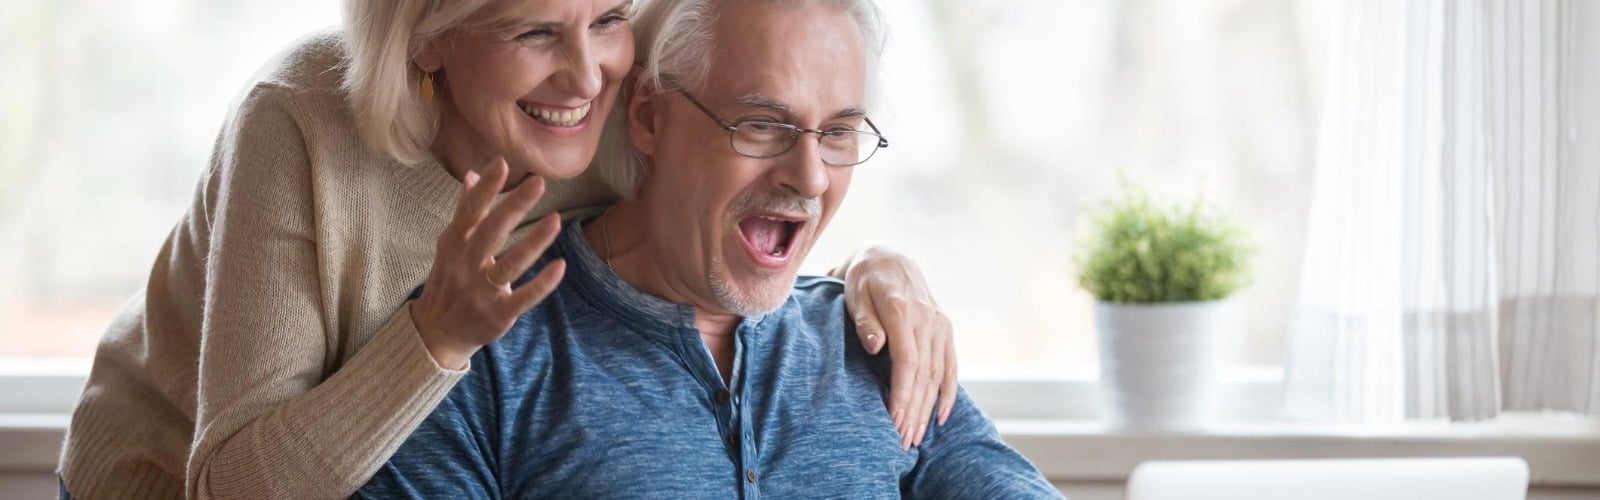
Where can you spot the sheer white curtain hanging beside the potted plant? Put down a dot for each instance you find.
(1454, 249)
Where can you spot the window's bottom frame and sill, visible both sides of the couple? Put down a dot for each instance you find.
(1055, 424)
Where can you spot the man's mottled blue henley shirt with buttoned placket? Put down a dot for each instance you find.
(604, 392)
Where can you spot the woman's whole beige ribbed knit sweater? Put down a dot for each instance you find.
(274, 337)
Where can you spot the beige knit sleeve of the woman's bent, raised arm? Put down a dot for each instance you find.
(271, 421)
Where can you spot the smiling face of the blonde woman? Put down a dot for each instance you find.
(535, 87)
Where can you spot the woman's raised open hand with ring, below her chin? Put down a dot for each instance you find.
(468, 300)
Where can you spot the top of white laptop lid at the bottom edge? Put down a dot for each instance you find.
(1490, 478)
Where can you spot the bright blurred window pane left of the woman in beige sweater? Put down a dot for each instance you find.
(110, 118)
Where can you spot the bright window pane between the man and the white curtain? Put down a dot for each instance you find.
(1012, 118)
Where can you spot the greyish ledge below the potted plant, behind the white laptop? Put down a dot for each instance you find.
(1559, 451)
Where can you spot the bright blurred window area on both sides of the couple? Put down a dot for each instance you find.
(1007, 118)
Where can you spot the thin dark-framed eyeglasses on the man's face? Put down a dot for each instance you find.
(842, 147)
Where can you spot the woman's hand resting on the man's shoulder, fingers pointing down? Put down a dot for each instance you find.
(890, 304)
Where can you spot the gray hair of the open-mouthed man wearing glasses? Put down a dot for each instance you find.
(674, 41)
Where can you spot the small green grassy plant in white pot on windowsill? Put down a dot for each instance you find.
(1161, 275)
